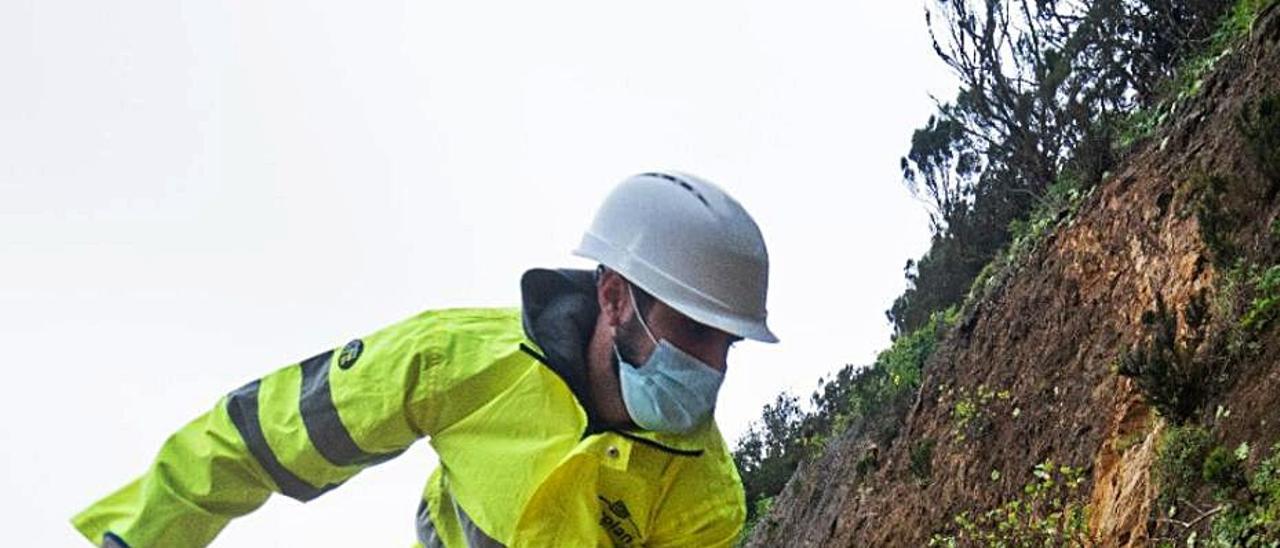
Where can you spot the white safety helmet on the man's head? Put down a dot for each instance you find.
(691, 245)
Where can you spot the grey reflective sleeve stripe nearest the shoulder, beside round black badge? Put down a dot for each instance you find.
(328, 435)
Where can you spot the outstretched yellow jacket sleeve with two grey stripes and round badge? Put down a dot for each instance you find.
(300, 431)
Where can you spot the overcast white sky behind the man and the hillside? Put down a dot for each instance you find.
(194, 194)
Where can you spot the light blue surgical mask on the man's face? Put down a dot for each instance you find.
(673, 392)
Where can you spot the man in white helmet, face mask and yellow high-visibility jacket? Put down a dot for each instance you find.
(582, 418)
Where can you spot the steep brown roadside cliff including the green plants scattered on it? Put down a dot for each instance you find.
(1043, 380)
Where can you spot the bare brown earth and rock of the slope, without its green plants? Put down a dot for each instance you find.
(1050, 339)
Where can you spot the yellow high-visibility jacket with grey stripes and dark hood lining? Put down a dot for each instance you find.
(502, 396)
